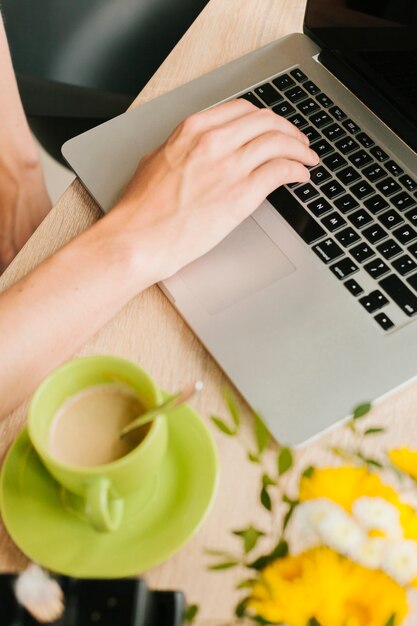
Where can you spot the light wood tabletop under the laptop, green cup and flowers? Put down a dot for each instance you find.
(150, 331)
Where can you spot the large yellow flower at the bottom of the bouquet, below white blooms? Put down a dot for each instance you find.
(323, 585)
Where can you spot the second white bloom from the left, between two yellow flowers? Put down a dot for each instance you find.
(340, 531)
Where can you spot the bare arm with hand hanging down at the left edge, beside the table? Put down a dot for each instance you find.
(24, 201)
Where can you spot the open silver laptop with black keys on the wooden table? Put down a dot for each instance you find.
(310, 305)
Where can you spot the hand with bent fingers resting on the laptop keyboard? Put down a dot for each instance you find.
(213, 171)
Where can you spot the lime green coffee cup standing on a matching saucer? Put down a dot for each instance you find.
(103, 488)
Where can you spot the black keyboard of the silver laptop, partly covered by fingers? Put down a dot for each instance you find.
(359, 209)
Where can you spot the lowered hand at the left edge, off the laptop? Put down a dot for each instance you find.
(24, 202)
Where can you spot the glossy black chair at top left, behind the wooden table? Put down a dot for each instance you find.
(82, 62)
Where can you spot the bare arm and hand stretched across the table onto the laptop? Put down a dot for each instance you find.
(185, 197)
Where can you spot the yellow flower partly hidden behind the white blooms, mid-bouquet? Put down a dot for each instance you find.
(344, 485)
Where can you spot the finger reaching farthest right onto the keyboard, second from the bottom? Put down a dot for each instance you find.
(275, 145)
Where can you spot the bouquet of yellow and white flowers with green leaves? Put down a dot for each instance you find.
(343, 546)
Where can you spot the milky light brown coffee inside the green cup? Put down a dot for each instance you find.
(86, 430)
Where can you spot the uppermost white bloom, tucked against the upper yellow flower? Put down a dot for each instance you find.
(378, 514)
